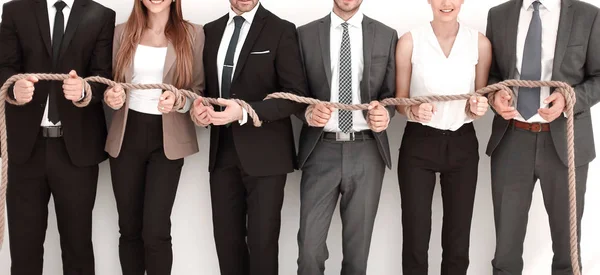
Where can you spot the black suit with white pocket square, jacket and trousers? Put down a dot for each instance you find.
(249, 164)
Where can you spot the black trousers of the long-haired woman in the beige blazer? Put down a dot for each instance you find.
(145, 184)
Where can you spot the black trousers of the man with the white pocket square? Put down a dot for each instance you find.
(244, 206)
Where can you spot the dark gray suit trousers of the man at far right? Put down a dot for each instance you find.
(517, 163)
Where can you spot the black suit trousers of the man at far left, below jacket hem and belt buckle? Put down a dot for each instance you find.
(48, 172)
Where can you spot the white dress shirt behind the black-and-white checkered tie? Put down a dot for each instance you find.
(359, 122)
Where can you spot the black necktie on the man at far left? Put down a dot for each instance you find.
(57, 35)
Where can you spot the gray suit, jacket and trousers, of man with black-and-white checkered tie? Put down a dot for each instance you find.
(354, 169)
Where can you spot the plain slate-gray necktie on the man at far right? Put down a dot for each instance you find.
(528, 99)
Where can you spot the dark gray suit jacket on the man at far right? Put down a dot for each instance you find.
(576, 61)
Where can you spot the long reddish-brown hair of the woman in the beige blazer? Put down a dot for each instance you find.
(178, 32)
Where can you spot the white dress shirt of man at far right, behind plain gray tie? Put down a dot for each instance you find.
(550, 16)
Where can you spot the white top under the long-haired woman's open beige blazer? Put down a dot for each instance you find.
(148, 66)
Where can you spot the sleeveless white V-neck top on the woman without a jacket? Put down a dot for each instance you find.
(435, 74)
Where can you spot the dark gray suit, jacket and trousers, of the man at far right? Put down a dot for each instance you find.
(520, 157)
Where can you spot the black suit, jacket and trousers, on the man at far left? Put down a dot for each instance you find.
(65, 167)
